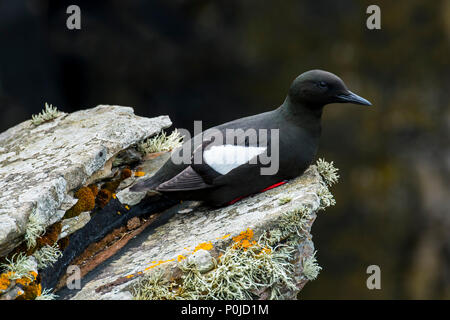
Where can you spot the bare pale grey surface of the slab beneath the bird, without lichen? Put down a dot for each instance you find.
(193, 227)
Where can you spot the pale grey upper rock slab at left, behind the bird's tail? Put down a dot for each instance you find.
(39, 165)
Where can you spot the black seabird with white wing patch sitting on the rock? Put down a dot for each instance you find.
(230, 170)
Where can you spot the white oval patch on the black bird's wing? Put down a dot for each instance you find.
(225, 158)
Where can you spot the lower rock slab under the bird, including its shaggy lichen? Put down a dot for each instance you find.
(196, 237)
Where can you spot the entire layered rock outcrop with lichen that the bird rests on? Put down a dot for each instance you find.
(65, 203)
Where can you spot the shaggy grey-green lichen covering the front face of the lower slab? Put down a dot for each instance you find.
(263, 269)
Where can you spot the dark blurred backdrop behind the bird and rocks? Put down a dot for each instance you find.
(220, 60)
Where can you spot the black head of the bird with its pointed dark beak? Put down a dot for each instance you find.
(318, 88)
